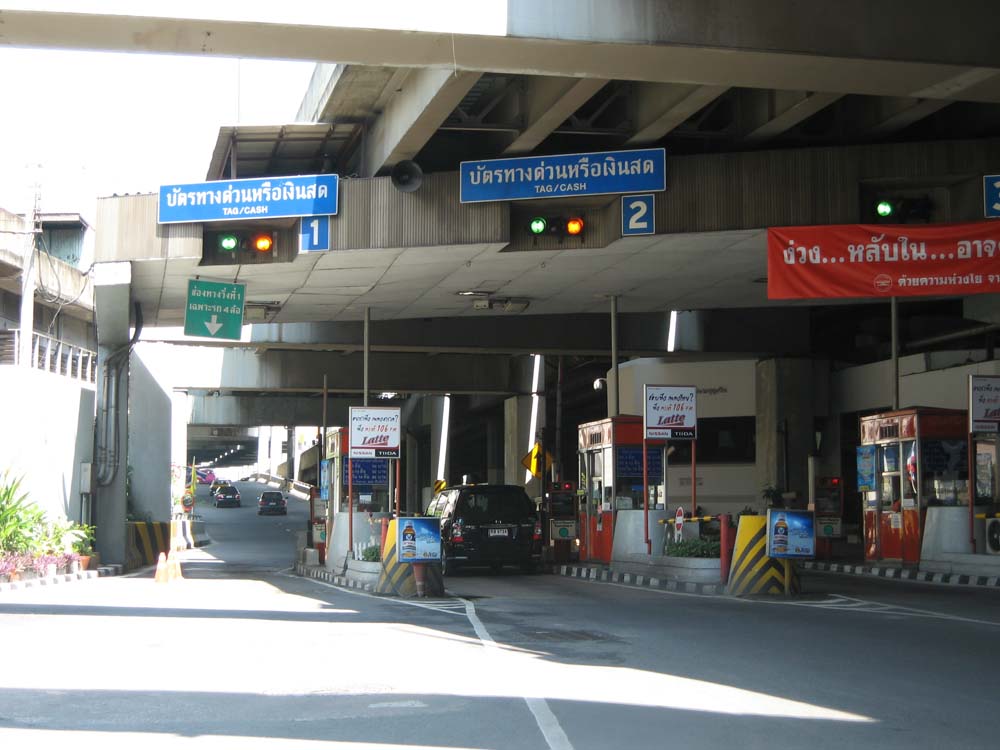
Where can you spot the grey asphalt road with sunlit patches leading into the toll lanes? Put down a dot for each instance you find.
(244, 653)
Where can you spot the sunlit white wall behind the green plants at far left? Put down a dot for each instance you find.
(46, 433)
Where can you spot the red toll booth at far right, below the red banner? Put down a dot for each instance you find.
(909, 460)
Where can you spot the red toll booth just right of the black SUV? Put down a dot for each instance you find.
(611, 481)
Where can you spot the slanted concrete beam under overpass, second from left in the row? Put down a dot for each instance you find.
(548, 102)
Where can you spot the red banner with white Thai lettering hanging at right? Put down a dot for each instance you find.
(875, 260)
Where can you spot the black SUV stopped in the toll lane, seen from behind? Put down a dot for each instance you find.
(487, 524)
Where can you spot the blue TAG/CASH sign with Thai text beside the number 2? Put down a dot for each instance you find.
(599, 173)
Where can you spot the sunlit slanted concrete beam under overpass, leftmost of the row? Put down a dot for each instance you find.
(413, 115)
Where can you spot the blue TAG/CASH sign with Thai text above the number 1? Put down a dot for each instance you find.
(263, 198)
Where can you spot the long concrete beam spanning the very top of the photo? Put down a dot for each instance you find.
(783, 44)
